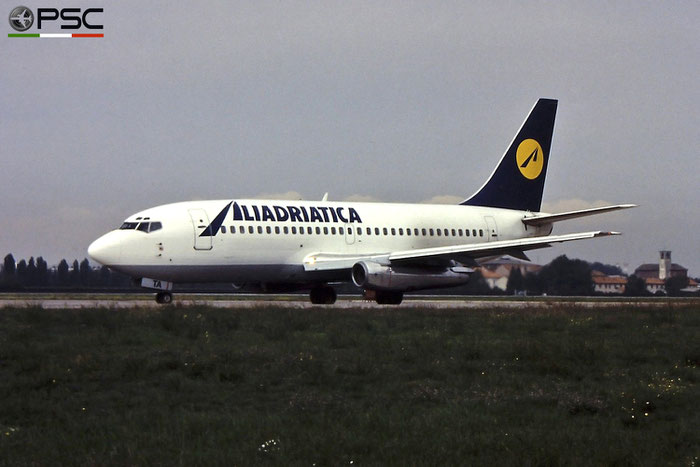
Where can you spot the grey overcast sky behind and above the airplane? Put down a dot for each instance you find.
(387, 101)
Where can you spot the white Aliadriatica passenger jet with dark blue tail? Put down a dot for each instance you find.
(388, 248)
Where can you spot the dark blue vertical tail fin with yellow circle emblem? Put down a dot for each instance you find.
(518, 181)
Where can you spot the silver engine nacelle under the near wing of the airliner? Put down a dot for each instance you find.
(375, 276)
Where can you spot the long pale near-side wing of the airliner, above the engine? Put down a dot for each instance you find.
(466, 253)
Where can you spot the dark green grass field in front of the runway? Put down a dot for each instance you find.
(271, 386)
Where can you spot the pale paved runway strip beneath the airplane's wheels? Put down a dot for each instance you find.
(74, 301)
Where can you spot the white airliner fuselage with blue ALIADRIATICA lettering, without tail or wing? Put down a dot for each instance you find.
(267, 241)
